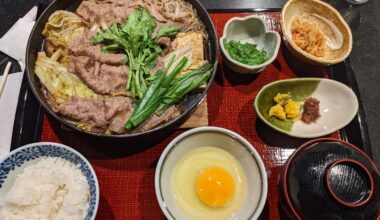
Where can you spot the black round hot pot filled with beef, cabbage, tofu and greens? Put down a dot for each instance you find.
(122, 69)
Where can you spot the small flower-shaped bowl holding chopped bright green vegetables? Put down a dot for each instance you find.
(247, 45)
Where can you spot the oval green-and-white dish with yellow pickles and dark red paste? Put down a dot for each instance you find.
(306, 107)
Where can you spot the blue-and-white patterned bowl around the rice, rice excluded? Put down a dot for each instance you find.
(14, 163)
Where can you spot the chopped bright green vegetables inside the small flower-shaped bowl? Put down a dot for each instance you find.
(245, 53)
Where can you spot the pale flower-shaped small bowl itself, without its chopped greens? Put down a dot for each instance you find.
(250, 29)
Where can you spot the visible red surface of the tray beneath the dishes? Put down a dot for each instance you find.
(126, 175)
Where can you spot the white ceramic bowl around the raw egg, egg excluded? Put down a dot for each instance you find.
(227, 140)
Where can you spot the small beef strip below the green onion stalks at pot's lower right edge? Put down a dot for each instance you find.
(155, 120)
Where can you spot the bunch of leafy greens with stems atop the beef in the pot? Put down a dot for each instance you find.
(134, 37)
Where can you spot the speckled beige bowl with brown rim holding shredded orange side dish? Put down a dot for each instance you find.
(315, 32)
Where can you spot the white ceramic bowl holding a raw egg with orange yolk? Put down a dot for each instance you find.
(211, 173)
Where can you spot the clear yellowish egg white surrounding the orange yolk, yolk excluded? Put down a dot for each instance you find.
(184, 178)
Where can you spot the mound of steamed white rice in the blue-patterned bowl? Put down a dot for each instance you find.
(51, 189)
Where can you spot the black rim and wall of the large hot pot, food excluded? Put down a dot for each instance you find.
(36, 42)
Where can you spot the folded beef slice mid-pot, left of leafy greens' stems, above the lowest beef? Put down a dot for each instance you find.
(102, 78)
